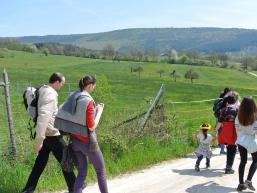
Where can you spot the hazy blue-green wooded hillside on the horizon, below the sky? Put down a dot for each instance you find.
(160, 39)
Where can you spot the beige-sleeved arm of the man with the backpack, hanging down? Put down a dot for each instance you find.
(45, 112)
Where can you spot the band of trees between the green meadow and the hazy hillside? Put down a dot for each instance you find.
(242, 60)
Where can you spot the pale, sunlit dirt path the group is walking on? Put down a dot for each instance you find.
(178, 176)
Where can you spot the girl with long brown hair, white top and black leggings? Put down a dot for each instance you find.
(246, 128)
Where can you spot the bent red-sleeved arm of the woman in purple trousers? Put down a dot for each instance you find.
(92, 120)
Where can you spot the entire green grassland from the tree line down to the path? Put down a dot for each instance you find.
(124, 95)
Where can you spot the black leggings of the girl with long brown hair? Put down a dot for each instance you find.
(241, 169)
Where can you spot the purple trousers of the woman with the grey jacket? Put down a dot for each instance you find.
(81, 151)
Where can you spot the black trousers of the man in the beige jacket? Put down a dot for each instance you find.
(54, 144)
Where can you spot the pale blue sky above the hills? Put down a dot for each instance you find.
(44, 17)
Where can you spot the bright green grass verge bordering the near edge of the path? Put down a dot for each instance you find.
(145, 153)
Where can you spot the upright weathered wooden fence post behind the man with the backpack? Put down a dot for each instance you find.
(9, 112)
